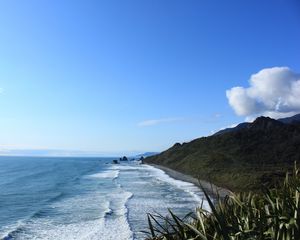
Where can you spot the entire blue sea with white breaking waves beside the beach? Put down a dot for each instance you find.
(85, 198)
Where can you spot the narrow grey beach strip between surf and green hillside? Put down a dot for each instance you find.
(210, 188)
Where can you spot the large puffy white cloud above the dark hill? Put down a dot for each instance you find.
(273, 92)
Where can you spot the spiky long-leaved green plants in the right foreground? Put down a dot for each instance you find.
(273, 214)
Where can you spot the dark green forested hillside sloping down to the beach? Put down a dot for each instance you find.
(239, 158)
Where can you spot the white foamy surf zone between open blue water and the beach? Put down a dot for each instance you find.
(103, 214)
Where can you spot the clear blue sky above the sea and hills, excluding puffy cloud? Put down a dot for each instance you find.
(129, 76)
